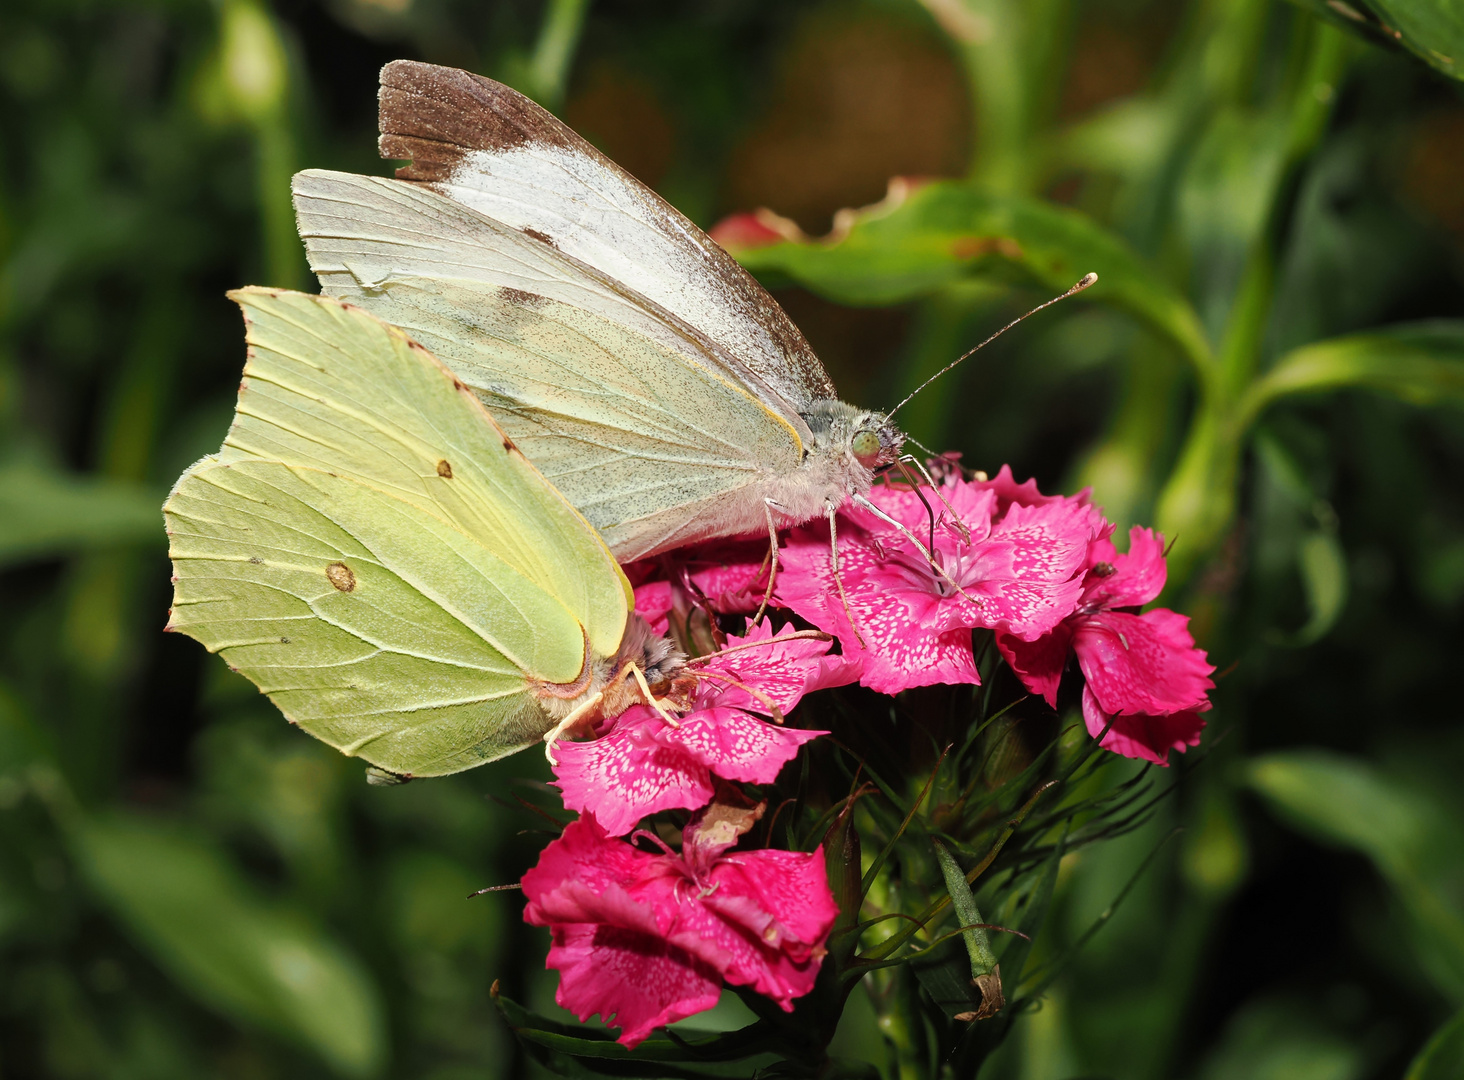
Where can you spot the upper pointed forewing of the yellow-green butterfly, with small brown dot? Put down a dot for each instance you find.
(332, 387)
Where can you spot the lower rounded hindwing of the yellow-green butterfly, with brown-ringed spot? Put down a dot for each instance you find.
(358, 620)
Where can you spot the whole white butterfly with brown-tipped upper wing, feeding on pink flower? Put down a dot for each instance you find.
(651, 378)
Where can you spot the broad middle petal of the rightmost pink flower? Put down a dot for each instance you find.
(1143, 664)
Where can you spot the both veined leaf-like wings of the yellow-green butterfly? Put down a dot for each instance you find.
(380, 558)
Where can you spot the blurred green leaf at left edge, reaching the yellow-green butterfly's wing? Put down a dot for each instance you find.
(46, 513)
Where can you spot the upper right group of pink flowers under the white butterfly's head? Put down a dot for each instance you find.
(1040, 571)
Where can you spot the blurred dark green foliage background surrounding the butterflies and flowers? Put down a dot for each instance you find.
(1270, 370)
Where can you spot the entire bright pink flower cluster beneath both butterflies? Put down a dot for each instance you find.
(648, 937)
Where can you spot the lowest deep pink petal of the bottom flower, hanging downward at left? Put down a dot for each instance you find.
(636, 981)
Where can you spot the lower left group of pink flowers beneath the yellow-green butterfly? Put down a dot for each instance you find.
(649, 939)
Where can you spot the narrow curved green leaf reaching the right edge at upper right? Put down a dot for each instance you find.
(1421, 364)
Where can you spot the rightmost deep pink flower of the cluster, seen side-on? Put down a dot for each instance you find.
(1143, 670)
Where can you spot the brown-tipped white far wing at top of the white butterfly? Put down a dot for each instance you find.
(496, 151)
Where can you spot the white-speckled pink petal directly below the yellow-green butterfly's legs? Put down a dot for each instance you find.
(630, 772)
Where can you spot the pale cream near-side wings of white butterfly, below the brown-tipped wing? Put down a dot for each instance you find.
(613, 406)
